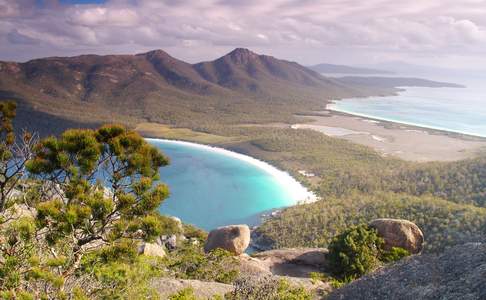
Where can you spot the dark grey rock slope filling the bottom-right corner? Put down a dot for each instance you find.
(458, 273)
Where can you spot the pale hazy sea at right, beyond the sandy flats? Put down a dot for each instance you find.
(461, 110)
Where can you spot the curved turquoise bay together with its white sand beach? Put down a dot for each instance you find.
(213, 188)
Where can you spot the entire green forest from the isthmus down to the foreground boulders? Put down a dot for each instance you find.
(357, 185)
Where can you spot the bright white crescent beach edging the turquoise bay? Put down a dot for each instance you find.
(300, 193)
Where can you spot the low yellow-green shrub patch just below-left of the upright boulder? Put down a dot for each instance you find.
(190, 262)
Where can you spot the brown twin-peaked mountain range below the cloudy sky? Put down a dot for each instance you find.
(241, 87)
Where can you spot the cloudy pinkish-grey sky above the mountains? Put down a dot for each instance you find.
(445, 33)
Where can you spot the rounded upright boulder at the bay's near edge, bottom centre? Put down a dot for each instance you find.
(233, 238)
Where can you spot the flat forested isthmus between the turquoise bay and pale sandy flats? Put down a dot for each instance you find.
(342, 167)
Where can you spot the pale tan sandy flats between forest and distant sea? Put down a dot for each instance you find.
(408, 143)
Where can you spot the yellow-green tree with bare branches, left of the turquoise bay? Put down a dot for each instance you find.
(128, 164)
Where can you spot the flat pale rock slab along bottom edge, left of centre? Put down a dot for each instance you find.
(202, 290)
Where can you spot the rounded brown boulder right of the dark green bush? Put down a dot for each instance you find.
(399, 233)
